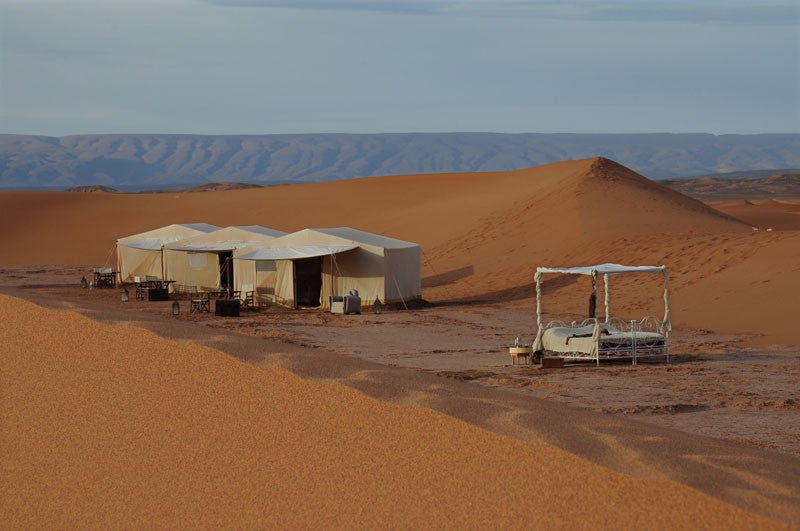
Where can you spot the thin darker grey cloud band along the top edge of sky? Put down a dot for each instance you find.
(698, 11)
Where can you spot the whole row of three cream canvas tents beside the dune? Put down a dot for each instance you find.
(305, 269)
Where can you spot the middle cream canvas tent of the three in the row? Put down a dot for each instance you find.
(203, 260)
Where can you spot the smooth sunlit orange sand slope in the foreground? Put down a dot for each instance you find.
(112, 426)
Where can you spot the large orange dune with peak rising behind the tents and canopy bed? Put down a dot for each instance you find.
(483, 234)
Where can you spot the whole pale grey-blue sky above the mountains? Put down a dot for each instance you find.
(359, 66)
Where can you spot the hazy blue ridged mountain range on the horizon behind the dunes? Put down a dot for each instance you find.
(141, 161)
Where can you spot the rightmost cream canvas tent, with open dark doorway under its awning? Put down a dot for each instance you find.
(306, 267)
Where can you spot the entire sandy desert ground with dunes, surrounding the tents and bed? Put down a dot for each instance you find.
(118, 414)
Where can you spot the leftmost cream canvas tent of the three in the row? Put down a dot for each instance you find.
(140, 255)
